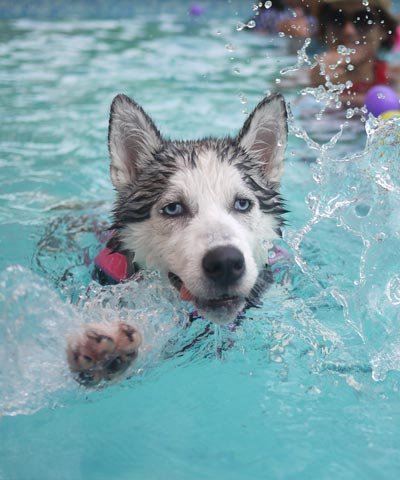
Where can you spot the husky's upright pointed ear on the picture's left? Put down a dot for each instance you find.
(132, 140)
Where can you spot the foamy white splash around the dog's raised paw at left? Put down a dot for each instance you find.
(36, 324)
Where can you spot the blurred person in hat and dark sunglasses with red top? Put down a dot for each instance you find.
(364, 31)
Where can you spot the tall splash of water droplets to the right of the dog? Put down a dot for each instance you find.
(361, 212)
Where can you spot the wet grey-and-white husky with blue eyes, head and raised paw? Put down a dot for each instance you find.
(204, 213)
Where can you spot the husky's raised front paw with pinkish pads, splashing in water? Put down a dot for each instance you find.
(103, 352)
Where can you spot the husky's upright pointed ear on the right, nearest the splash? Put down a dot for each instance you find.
(264, 136)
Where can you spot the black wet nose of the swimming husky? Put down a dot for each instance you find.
(224, 265)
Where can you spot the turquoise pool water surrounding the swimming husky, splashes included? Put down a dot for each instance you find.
(308, 385)
